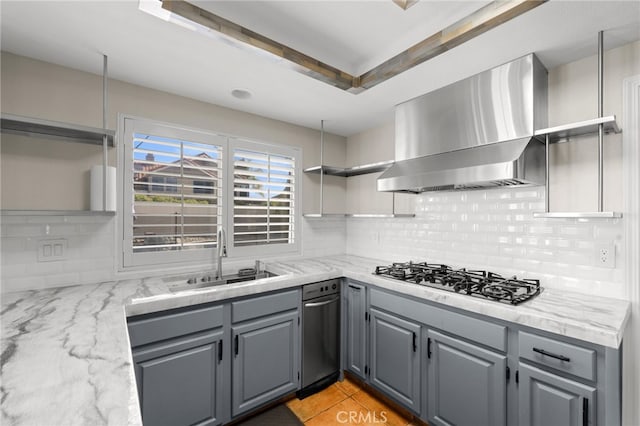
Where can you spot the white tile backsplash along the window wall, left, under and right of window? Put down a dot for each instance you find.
(89, 250)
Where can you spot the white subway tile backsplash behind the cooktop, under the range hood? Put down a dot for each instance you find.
(494, 229)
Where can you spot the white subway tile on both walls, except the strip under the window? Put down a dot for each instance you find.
(487, 229)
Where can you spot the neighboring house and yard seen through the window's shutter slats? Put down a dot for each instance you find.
(178, 203)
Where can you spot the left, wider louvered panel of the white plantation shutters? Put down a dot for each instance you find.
(177, 193)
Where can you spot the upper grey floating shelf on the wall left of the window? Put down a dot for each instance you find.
(72, 132)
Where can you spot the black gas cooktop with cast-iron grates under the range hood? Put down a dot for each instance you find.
(484, 284)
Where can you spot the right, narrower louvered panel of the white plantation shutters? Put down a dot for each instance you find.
(264, 196)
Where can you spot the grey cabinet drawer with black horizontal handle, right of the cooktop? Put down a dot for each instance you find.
(558, 355)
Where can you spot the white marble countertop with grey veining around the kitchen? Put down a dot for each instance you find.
(66, 357)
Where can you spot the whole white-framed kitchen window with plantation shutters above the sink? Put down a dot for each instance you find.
(181, 185)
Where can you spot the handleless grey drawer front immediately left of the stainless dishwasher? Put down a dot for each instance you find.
(256, 307)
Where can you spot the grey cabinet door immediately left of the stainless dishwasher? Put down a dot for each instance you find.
(266, 360)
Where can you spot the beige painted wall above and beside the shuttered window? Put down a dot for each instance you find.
(54, 175)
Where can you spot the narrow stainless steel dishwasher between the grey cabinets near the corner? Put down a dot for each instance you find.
(320, 335)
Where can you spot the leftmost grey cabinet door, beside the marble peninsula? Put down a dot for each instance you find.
(180, 382)
